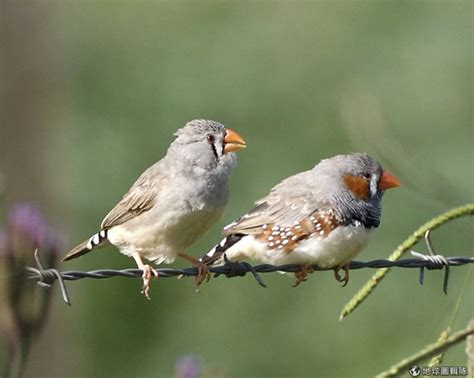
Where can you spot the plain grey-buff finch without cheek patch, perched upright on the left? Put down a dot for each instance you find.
(174, 202)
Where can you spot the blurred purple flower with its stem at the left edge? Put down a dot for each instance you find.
(24, 311)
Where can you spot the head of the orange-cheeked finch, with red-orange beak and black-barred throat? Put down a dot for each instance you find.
(356, 183)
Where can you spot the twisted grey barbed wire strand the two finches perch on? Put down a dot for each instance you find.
(46, 277)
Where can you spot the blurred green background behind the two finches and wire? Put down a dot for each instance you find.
(91, 93)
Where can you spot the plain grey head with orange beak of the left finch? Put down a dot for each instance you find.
(205, 144)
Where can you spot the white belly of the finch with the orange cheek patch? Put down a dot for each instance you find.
(339, 247)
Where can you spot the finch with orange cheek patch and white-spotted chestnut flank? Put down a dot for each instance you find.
(324, 216)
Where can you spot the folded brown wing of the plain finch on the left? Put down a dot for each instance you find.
(140, 198)
